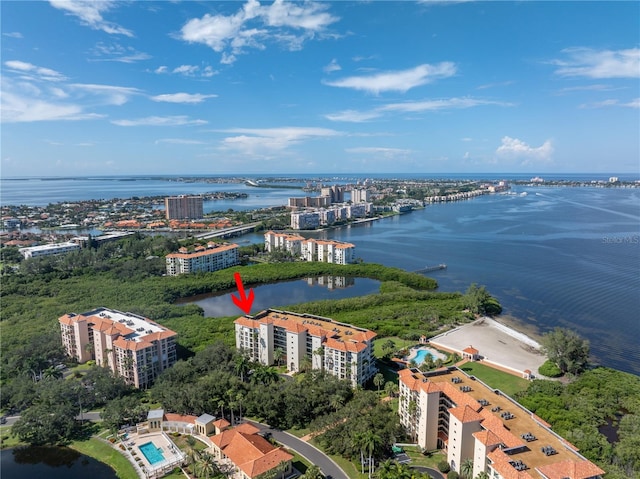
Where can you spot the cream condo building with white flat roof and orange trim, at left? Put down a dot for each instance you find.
(132, 346)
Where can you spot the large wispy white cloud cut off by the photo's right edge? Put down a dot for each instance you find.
(590, 63)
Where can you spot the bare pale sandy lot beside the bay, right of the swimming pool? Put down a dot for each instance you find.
(498, 345)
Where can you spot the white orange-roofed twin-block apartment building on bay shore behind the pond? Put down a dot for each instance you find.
(327, 251)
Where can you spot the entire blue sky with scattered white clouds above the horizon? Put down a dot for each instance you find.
(195, 87)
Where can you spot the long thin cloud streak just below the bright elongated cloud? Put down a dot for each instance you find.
(411, 107)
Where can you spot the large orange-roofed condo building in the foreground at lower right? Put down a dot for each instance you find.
(449, 410)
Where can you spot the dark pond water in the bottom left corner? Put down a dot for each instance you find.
(51, 463)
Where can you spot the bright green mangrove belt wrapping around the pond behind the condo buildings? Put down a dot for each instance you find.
(128, 276)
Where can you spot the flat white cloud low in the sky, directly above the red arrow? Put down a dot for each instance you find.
(252, 141)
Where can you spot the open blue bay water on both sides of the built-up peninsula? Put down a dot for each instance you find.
(553, 256)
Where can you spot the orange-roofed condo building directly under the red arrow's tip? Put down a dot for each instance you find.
(341, 349)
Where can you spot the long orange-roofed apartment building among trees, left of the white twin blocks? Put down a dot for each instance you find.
(202, 260)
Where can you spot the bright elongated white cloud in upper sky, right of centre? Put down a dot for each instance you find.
(402, 80)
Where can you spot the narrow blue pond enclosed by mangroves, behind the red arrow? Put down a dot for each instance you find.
(279, 295)
